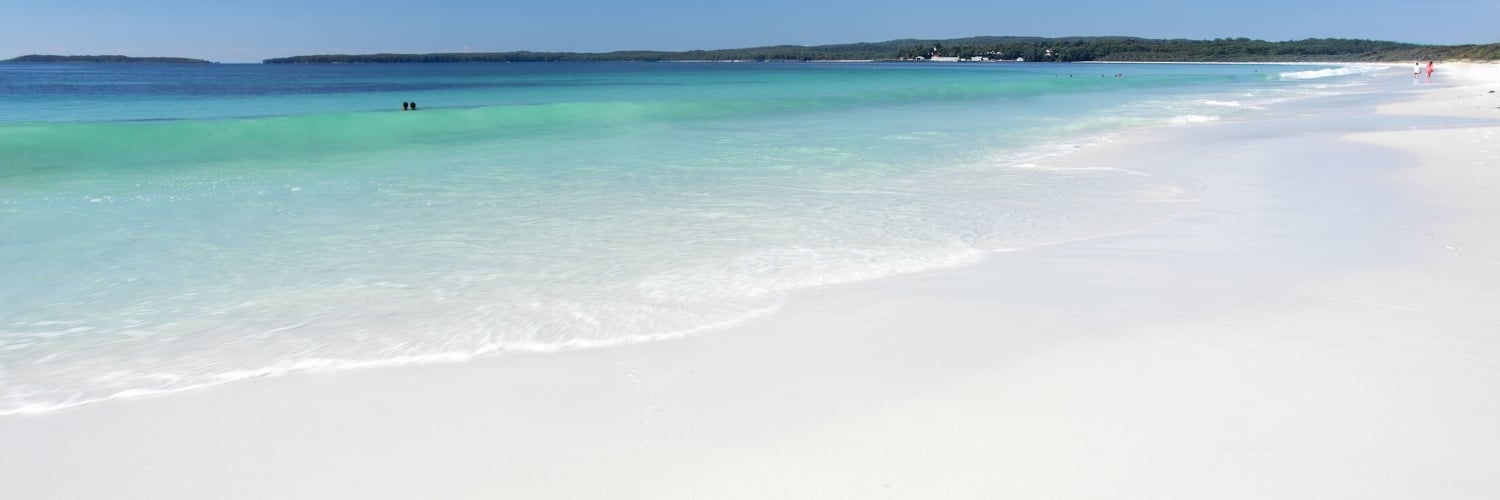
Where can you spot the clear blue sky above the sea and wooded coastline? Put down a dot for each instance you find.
(254, 31)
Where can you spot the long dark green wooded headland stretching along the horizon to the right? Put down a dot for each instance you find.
(985, 49)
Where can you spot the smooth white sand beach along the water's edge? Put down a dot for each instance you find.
(1322, 324)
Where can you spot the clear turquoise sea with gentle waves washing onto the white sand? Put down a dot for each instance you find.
(175, 227)
